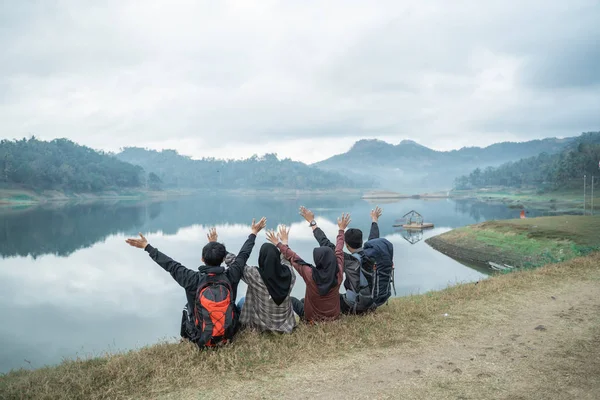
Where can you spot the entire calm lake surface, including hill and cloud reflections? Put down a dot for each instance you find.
(70, 286)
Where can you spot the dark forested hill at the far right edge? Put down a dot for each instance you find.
(545, 171)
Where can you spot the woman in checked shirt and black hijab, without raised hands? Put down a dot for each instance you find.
(267, 306)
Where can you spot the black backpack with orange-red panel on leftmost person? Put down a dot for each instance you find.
(215, 315)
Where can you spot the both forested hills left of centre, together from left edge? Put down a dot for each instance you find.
(63, 165)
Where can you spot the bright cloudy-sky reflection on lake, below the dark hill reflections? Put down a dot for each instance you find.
(110, 295)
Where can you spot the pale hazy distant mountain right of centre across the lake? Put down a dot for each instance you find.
(411, 167)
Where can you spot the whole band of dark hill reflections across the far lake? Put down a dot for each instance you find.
(63, 230)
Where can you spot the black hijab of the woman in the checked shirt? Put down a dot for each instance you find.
(277, 277)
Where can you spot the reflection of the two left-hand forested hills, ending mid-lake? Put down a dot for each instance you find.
(63, 230)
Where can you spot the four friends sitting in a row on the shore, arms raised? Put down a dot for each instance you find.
(211, 316)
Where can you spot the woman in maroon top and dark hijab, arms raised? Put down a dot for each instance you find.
(323, 279)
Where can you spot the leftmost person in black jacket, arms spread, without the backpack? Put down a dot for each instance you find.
(213, 255)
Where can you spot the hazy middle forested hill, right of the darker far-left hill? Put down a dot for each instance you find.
(176, 170)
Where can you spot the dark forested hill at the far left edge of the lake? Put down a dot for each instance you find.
(63, 165)
